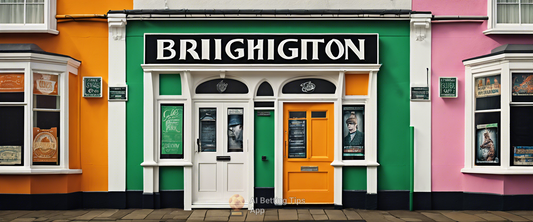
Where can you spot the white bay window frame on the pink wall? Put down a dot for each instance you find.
(504, 65)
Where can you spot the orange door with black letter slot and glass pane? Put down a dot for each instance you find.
(308, 153)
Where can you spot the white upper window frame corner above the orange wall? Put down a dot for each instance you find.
(49, 25)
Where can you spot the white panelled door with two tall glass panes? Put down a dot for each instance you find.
(220, 164)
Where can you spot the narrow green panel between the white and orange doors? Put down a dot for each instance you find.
(264, 146)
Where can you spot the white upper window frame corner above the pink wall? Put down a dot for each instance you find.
(503, 28)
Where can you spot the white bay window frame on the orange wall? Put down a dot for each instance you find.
(30, 63)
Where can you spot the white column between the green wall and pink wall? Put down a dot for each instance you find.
(420, 111)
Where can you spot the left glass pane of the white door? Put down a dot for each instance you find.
(208, 130)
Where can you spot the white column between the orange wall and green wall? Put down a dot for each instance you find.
(117, 110)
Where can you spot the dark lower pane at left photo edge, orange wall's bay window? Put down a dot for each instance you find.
(11, 135)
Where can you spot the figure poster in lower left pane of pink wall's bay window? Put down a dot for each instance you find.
(487, 145)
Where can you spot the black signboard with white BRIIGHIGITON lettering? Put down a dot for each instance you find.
(261, 49)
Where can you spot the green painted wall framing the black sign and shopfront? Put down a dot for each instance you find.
(393, 88)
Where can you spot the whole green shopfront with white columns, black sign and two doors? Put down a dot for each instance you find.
(277, 111)
